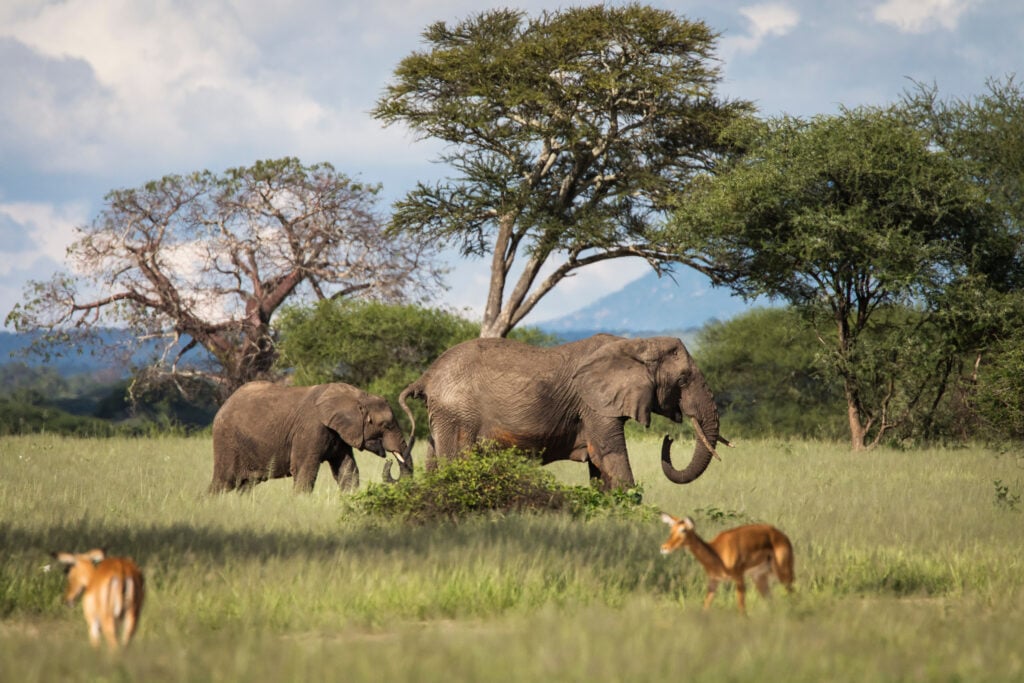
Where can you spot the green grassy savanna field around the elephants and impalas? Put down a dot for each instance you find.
(910, 567)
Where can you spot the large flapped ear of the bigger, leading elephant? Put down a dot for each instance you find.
(618, 380)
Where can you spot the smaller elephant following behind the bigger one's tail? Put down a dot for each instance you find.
(267, 432)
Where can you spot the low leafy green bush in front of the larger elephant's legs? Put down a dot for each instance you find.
(490, 479)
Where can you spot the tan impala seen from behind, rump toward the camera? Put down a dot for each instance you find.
(112, 590)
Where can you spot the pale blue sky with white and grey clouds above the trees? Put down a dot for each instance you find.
(104, 95)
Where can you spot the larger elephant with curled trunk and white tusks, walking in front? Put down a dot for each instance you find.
(567, 403)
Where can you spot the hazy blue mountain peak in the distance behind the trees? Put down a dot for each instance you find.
(653, 306)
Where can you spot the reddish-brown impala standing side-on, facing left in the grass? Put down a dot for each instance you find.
(758, 550)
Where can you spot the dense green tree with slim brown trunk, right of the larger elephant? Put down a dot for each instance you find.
(861, 224)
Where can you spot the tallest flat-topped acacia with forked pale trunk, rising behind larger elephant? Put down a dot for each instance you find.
(566, 133)
